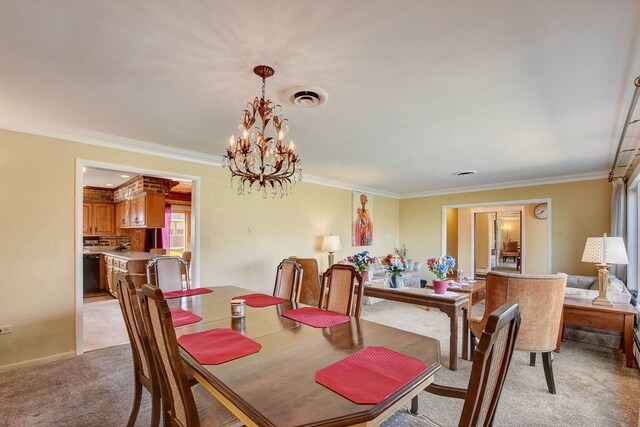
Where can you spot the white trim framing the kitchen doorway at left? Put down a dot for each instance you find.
(195, 241)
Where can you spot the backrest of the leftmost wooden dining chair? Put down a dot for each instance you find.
(140, 347)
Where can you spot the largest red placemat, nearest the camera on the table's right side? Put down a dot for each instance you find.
(370, 375)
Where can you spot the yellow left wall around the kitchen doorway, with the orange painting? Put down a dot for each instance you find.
(37, 290)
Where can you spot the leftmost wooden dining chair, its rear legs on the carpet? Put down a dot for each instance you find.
(143, 366)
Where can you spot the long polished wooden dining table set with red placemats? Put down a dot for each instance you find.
(276, 386)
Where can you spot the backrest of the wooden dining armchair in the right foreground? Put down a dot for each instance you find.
(490, 365)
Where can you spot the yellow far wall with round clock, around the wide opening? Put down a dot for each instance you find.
(579, 210)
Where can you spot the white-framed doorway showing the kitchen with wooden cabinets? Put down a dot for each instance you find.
(99, 230)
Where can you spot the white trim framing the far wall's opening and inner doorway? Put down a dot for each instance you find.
(548, 201)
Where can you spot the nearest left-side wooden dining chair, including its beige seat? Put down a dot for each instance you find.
(183, 405)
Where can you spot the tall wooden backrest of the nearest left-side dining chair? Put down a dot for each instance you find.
(177, 398)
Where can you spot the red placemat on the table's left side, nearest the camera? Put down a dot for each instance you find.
(217, 346)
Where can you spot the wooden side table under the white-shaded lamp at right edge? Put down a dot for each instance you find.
(618, 318)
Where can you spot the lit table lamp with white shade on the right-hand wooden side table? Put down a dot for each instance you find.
(604, 251)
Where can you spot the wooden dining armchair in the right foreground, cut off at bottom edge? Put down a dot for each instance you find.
(489, 369)
